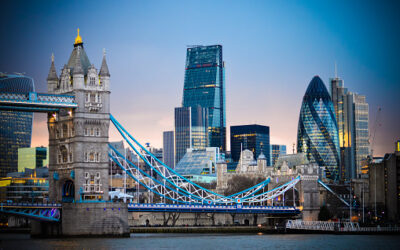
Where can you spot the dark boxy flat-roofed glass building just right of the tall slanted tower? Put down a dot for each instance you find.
(252, 137)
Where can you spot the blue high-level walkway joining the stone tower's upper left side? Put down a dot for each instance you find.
(35, 102)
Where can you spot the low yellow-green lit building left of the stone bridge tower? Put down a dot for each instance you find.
(32, 158)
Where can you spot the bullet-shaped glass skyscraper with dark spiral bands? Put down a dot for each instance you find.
(317, 134)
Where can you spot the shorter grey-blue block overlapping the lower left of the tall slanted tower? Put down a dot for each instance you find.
(190, 130)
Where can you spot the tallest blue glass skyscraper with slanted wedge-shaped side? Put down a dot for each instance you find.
(205, 86)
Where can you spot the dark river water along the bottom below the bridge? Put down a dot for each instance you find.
(207, 241)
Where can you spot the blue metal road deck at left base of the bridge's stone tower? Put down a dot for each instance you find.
(37, 211)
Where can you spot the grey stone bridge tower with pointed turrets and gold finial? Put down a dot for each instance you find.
(78, 139)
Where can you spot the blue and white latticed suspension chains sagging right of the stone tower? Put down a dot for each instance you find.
(172, 186)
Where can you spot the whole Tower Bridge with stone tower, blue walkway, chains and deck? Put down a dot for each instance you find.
(78, 104)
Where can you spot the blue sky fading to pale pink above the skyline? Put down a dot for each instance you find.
(271, 49)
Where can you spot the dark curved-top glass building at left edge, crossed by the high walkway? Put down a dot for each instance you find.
(15, 127)
